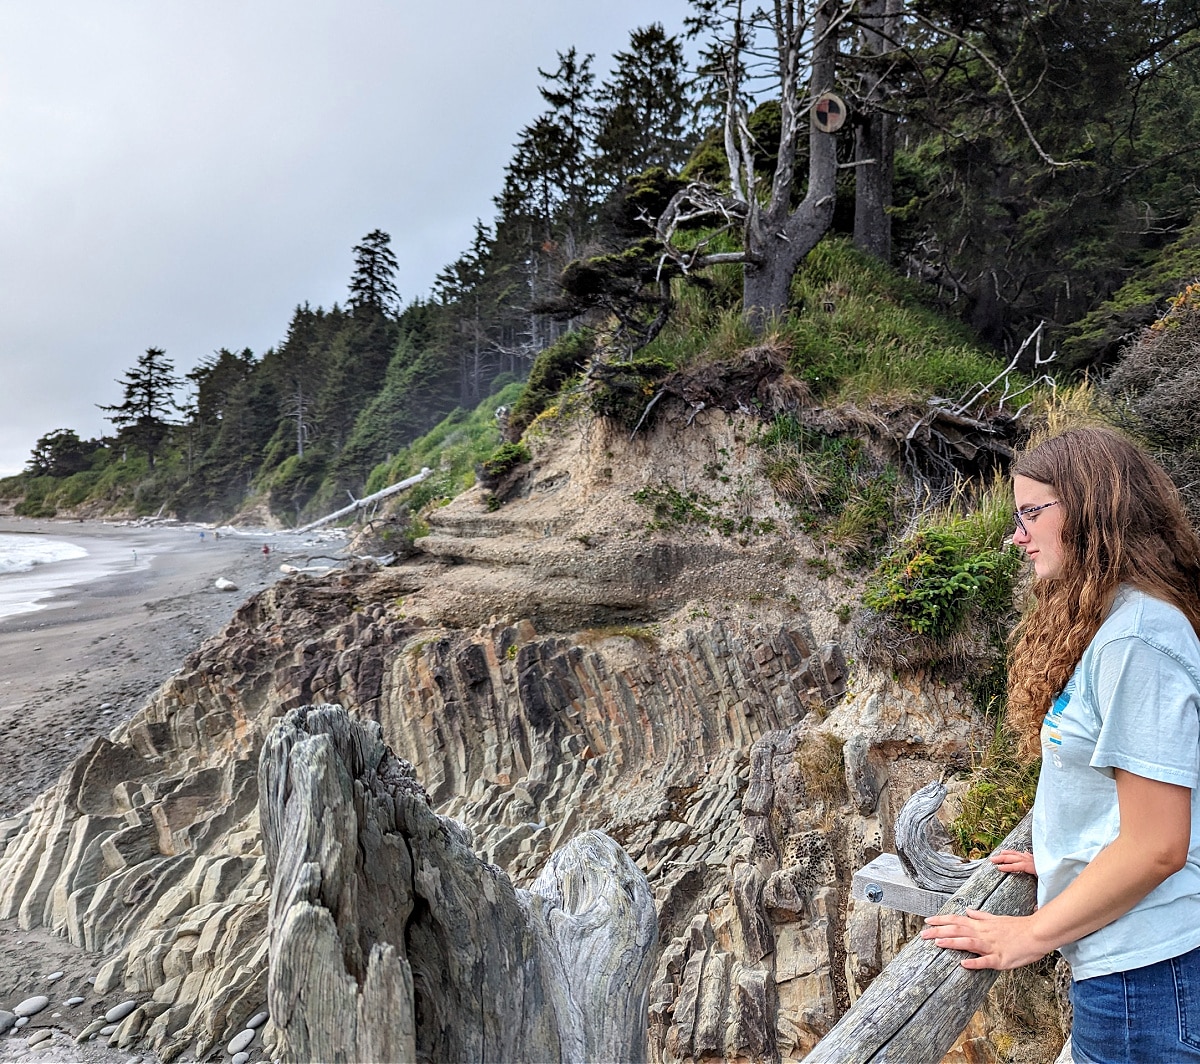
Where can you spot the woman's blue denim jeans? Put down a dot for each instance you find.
(1144, 1017)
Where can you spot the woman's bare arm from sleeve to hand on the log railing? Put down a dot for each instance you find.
(1153, 845)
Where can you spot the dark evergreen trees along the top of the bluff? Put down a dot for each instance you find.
(1033, 163)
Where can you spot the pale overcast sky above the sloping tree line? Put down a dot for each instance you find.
(183, 175)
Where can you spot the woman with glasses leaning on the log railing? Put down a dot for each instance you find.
(1105, 682)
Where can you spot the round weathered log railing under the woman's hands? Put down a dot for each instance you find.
(919, 1005)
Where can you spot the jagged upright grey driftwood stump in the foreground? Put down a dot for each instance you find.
(392, 941)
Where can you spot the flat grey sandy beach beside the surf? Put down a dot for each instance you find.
(122, 622)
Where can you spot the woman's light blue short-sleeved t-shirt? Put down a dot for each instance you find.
(1133, 704)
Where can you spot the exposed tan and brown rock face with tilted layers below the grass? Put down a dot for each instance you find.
(715, 741)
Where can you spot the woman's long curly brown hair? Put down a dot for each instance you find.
(1123, 524)
